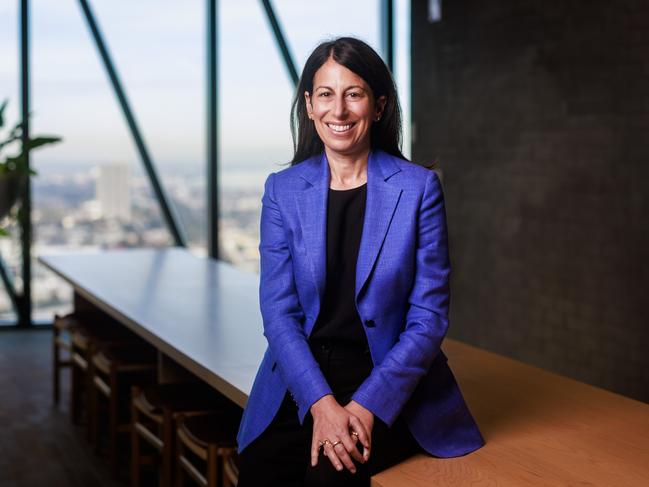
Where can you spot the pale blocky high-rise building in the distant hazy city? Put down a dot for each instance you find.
(113, 191)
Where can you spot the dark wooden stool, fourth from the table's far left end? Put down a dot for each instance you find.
(154, 413)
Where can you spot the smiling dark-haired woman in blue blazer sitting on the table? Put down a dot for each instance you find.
(353, 292)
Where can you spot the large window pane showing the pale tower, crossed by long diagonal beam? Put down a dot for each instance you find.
(91, 191)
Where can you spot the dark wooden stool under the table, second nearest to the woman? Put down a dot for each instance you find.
(211, 438)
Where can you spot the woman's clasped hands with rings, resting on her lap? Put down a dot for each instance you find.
(334, 423)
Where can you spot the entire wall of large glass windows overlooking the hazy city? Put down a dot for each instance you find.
(91, 191)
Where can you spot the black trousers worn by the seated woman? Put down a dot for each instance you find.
(281, 455)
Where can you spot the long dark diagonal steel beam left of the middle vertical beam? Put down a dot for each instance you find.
(167, 210)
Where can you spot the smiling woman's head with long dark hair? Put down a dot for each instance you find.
(347, 86)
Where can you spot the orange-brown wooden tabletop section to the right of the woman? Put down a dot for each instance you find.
(540, 429)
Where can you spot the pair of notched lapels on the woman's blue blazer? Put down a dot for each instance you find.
(381, 203)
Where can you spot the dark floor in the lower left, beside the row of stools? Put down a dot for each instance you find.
(38, 444)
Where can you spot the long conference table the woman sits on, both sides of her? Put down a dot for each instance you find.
(203, 317)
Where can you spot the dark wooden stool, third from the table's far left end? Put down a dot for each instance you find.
(115, 369)
